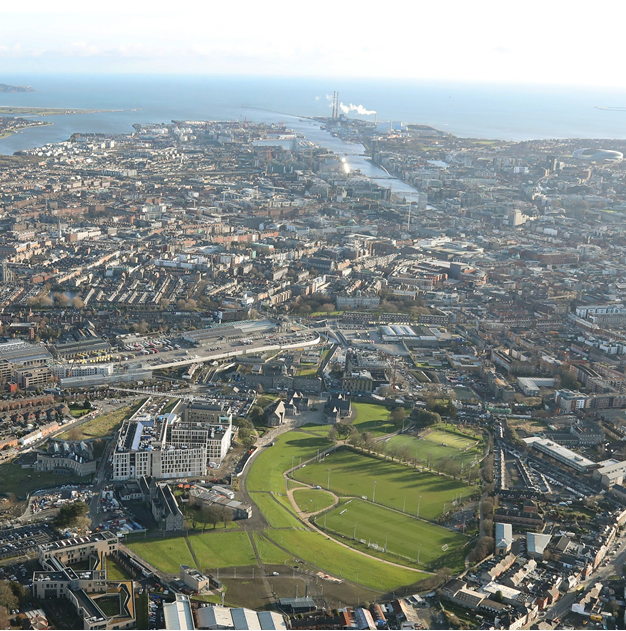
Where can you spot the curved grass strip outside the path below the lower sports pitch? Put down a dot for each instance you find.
(339, 561)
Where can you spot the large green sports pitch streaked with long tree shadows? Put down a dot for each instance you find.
(353, 474)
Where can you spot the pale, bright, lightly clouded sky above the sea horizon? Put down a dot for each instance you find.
(547, 42)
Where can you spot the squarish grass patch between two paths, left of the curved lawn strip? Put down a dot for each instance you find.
(223, 549)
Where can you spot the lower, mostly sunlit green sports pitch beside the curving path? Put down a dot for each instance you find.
(405, 535)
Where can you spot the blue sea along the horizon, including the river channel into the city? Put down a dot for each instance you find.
(489, 111)
